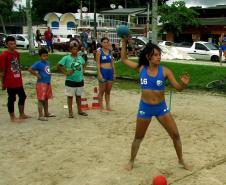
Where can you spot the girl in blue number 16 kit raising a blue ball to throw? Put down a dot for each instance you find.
(152, 81)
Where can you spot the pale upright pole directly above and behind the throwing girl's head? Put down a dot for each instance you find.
(154, 21)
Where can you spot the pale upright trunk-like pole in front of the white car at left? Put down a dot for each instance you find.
(29, 28)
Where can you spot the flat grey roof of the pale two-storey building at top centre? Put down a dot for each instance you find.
(123, 11)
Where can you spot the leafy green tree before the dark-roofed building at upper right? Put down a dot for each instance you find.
(177, 17)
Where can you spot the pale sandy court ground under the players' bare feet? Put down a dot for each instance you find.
(93, 150)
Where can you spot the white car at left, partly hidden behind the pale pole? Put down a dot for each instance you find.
(23, 42)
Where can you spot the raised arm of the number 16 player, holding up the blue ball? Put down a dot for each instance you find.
(124, 57)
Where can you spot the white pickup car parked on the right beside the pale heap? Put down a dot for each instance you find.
(201, 50)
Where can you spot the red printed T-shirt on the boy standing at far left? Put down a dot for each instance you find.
(10, 65)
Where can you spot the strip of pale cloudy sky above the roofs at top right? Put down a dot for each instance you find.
(203, 3)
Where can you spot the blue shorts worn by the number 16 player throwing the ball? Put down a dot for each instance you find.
(146, 111)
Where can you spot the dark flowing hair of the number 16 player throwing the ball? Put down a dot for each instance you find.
(147, 51)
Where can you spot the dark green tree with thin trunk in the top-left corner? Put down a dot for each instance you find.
(6, 7)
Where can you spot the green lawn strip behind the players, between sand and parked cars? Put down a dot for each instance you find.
(200, 75)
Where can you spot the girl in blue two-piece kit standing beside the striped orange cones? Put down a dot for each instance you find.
(106, 73)
